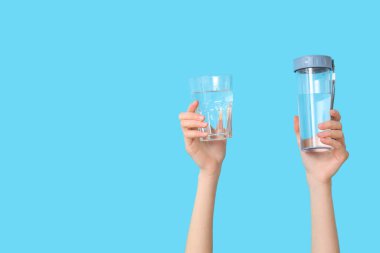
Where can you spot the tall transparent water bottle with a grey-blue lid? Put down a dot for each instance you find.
(316, 90)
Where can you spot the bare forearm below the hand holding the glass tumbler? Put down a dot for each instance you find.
(200, 232)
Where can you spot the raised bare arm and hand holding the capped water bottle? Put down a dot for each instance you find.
(320, 168)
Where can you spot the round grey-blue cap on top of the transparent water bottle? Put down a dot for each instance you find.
(313, 61)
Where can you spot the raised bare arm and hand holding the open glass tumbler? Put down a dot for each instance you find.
(209, 157)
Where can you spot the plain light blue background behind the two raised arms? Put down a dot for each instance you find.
(91, 153)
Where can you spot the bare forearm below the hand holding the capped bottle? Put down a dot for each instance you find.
(324, 232)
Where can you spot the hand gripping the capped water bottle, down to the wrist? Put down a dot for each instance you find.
(321, 166)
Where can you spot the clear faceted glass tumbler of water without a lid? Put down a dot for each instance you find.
(215, 97)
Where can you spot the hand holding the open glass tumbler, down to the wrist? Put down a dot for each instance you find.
(208, 155)
